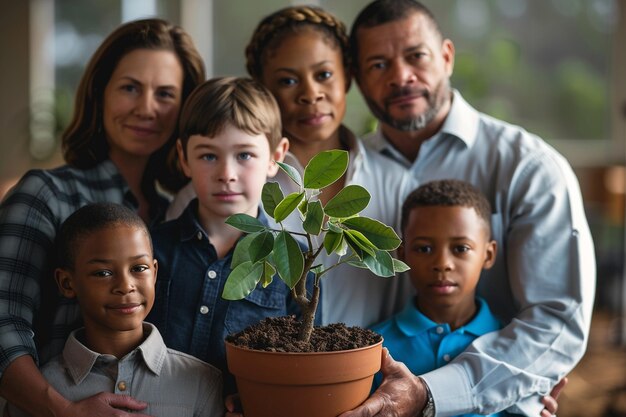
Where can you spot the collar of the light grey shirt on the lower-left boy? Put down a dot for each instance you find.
(80, 360)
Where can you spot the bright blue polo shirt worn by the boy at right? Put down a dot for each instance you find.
(424, 345)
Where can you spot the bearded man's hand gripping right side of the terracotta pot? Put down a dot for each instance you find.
(401, 394)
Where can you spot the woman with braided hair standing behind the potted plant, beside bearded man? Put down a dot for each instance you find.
(301, 54)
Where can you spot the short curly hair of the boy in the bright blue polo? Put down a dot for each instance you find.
(447, 193)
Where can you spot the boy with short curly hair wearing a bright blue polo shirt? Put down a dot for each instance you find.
(447, 243)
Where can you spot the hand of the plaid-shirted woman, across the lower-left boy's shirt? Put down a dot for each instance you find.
(105, 404)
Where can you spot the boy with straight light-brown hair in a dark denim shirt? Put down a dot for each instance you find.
(230, 140)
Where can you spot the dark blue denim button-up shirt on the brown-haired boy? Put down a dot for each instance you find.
(189, 310)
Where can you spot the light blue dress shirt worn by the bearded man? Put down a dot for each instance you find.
(543, 282)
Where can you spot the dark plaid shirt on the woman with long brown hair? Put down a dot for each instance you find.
(34, 318)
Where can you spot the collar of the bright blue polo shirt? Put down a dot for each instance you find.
(412, 322)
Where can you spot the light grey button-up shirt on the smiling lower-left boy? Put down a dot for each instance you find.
(173, 383)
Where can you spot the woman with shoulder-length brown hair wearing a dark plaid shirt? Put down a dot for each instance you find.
(116, 148)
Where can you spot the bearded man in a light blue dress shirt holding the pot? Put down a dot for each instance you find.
(543, 282)
